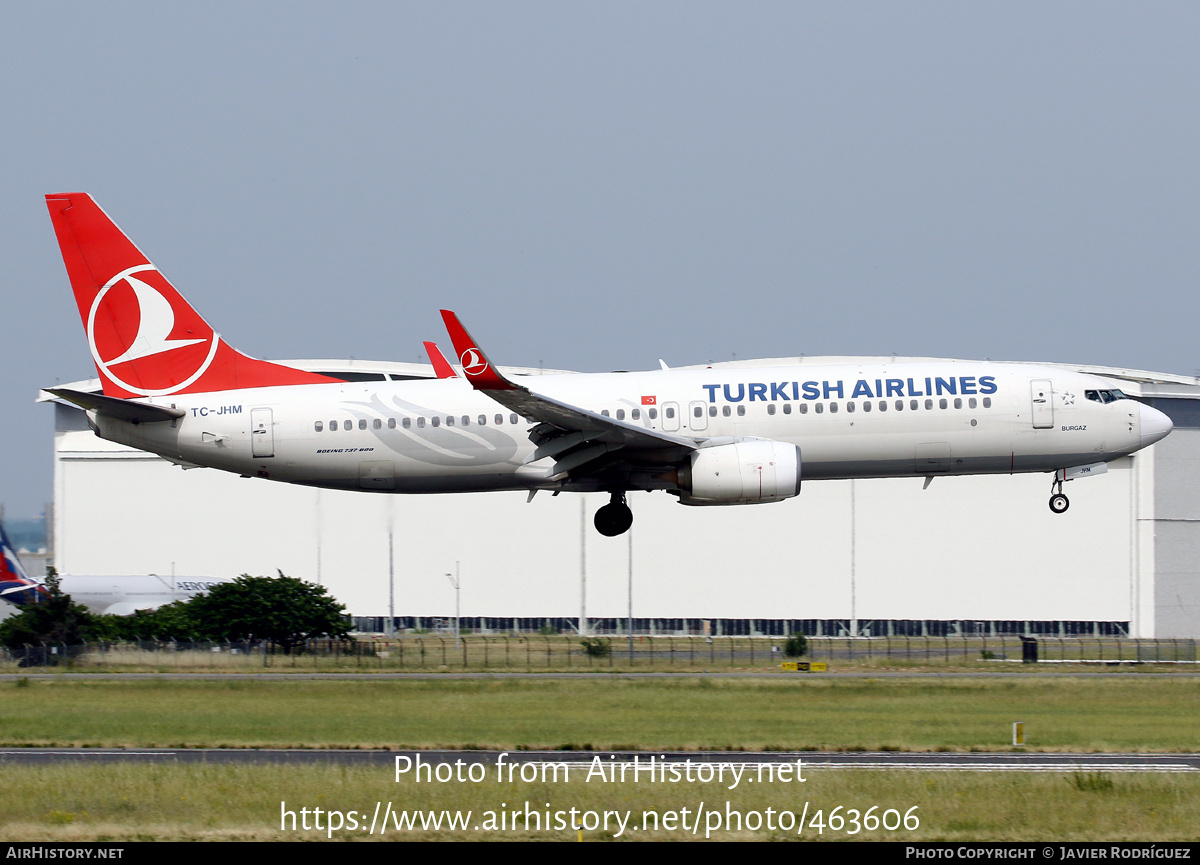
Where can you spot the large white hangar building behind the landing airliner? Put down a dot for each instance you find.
(871, 557)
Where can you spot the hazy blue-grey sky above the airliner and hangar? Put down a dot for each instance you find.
(596, 187)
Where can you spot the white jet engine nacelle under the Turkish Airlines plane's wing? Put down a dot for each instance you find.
(743, 472)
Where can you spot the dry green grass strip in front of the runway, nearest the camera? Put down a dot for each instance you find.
(181, 803)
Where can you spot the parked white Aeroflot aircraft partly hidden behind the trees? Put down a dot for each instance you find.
(118, 596)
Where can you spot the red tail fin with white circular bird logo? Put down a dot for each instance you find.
(145, 338)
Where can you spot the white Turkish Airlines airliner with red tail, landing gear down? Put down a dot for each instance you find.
(709, 436)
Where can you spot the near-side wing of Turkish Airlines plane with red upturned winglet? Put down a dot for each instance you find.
(573, 435)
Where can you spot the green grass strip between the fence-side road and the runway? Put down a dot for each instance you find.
(1061, 714)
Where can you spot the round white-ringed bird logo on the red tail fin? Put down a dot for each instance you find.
(134, 320)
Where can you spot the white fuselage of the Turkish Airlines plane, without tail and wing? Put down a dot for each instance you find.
(856, 421)
